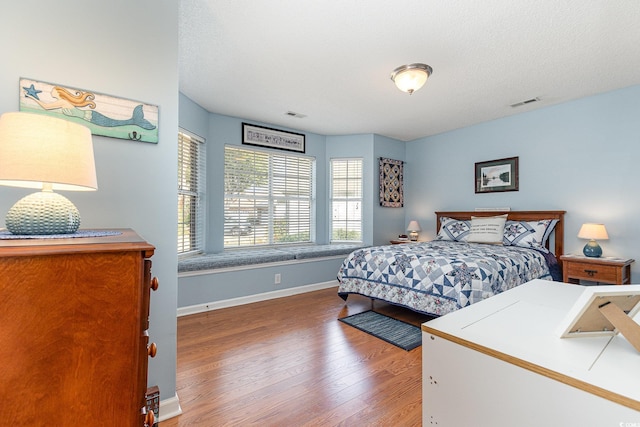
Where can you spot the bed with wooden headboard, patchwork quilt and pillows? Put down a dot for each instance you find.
(454, 270)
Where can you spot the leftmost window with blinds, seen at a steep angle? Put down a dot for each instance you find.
(191, 190)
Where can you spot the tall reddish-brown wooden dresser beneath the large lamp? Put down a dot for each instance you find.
(74, 345)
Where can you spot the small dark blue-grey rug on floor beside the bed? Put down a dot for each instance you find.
(393, 331)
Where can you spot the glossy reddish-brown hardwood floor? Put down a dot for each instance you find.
(290, 362)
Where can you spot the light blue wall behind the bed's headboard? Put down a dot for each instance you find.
(580, 156)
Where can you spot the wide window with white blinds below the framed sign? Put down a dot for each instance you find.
(268, 198)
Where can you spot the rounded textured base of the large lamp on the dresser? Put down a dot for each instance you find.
(44, 212)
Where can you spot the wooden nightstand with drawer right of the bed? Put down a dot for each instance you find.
(614, 271)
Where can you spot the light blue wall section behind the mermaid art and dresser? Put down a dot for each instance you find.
(125, 49)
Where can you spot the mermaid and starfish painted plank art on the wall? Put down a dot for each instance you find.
(105, 115)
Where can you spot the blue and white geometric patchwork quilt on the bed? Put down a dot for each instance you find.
(438, 277)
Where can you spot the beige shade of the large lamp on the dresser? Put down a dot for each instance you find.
(37, 149)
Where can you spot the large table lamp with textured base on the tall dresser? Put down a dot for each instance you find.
(39, 151)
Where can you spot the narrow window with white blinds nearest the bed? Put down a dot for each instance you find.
(346, 200)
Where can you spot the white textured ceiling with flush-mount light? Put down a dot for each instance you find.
(330, 60)
